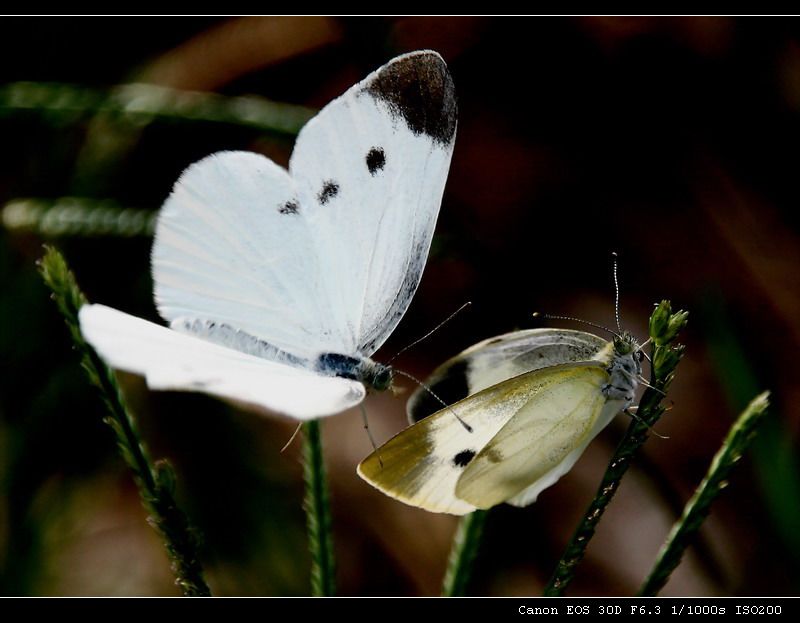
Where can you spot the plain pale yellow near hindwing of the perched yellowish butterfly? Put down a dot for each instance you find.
(564, 406)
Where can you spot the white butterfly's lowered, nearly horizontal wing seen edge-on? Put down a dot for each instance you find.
(171, 360)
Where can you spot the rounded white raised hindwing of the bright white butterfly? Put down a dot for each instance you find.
(231, 246)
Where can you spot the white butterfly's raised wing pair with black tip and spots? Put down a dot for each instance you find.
(325, 258)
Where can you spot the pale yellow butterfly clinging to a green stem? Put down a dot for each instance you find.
(532, 401)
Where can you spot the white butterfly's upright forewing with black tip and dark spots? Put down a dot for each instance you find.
(371, 170)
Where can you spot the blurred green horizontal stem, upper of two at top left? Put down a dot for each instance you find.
(139, 104)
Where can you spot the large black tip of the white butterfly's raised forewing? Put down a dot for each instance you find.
(418, 88)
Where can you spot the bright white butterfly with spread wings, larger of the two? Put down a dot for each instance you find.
(278, 286)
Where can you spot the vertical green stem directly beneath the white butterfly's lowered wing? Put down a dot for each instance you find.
(318, 513)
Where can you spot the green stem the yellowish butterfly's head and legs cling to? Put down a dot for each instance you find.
(664, 328)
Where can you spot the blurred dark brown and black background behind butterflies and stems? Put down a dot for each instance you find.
(671, 141)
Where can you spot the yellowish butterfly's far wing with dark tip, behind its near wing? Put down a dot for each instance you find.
(500, 358)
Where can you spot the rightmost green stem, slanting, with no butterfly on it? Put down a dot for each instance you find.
(697, 509)
